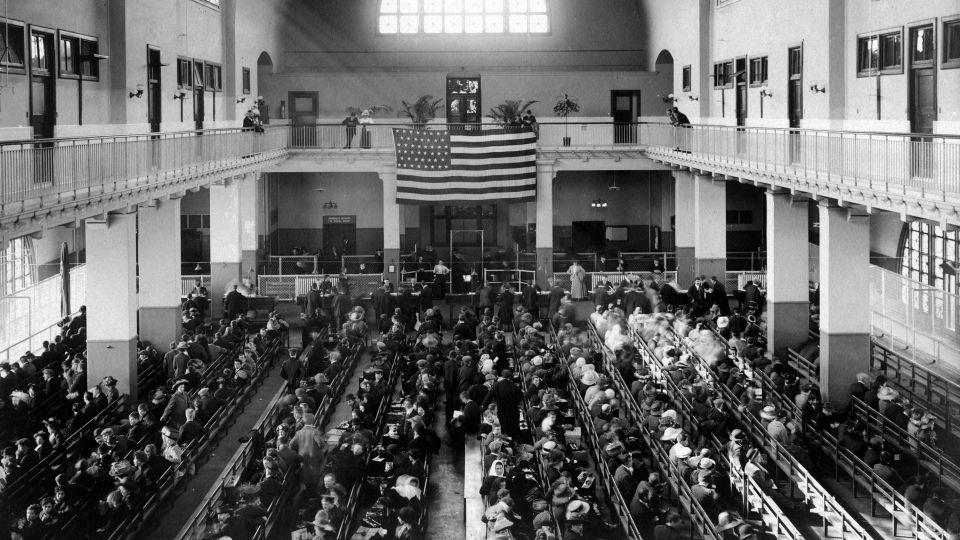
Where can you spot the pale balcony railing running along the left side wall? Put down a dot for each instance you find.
(45, 167)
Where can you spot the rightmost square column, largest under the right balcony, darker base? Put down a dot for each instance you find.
(844, 299)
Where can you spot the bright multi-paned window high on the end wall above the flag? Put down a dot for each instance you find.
(463, 17)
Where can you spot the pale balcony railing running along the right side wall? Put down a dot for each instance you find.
(891, 162)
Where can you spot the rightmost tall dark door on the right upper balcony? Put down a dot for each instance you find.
(923, 98)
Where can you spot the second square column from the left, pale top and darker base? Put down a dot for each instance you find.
(159, 257)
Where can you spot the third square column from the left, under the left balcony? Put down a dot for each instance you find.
(225, 252)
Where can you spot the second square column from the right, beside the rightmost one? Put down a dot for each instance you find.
(788, 274)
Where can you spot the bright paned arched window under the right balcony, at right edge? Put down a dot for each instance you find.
(924, 249)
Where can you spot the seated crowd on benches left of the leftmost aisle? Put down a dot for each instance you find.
(97, 459)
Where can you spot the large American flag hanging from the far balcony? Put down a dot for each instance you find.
(463, 166)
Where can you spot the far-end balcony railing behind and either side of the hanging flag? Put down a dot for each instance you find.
(551, 135)
